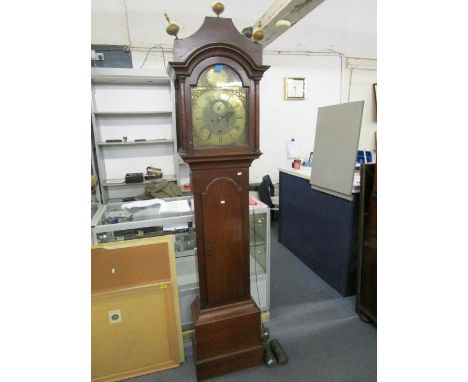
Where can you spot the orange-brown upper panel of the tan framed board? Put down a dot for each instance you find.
(116, 267)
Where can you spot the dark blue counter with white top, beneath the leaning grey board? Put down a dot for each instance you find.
(320, 229)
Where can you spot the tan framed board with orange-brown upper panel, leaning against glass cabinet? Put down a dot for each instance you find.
(135, 319)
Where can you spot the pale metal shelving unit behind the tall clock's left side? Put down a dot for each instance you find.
(137, 104)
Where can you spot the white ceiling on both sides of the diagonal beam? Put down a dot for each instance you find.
(347, 26)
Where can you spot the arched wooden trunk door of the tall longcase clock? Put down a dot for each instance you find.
(224, 242)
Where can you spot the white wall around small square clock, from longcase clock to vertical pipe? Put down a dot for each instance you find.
(281, 120)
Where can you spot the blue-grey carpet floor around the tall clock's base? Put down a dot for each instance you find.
(319, 329)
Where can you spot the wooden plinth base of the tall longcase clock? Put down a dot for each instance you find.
(227, 338)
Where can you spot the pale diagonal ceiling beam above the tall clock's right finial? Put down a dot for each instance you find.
(291, 10)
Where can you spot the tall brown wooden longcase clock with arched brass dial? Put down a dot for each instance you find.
(216, 74)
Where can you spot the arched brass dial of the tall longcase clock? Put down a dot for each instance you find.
(219, 111)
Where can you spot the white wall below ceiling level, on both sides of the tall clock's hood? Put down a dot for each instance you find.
(281, 120)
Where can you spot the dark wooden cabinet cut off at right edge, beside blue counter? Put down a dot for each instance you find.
(366, 296)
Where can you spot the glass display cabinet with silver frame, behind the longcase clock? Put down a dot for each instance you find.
(112, 222)
